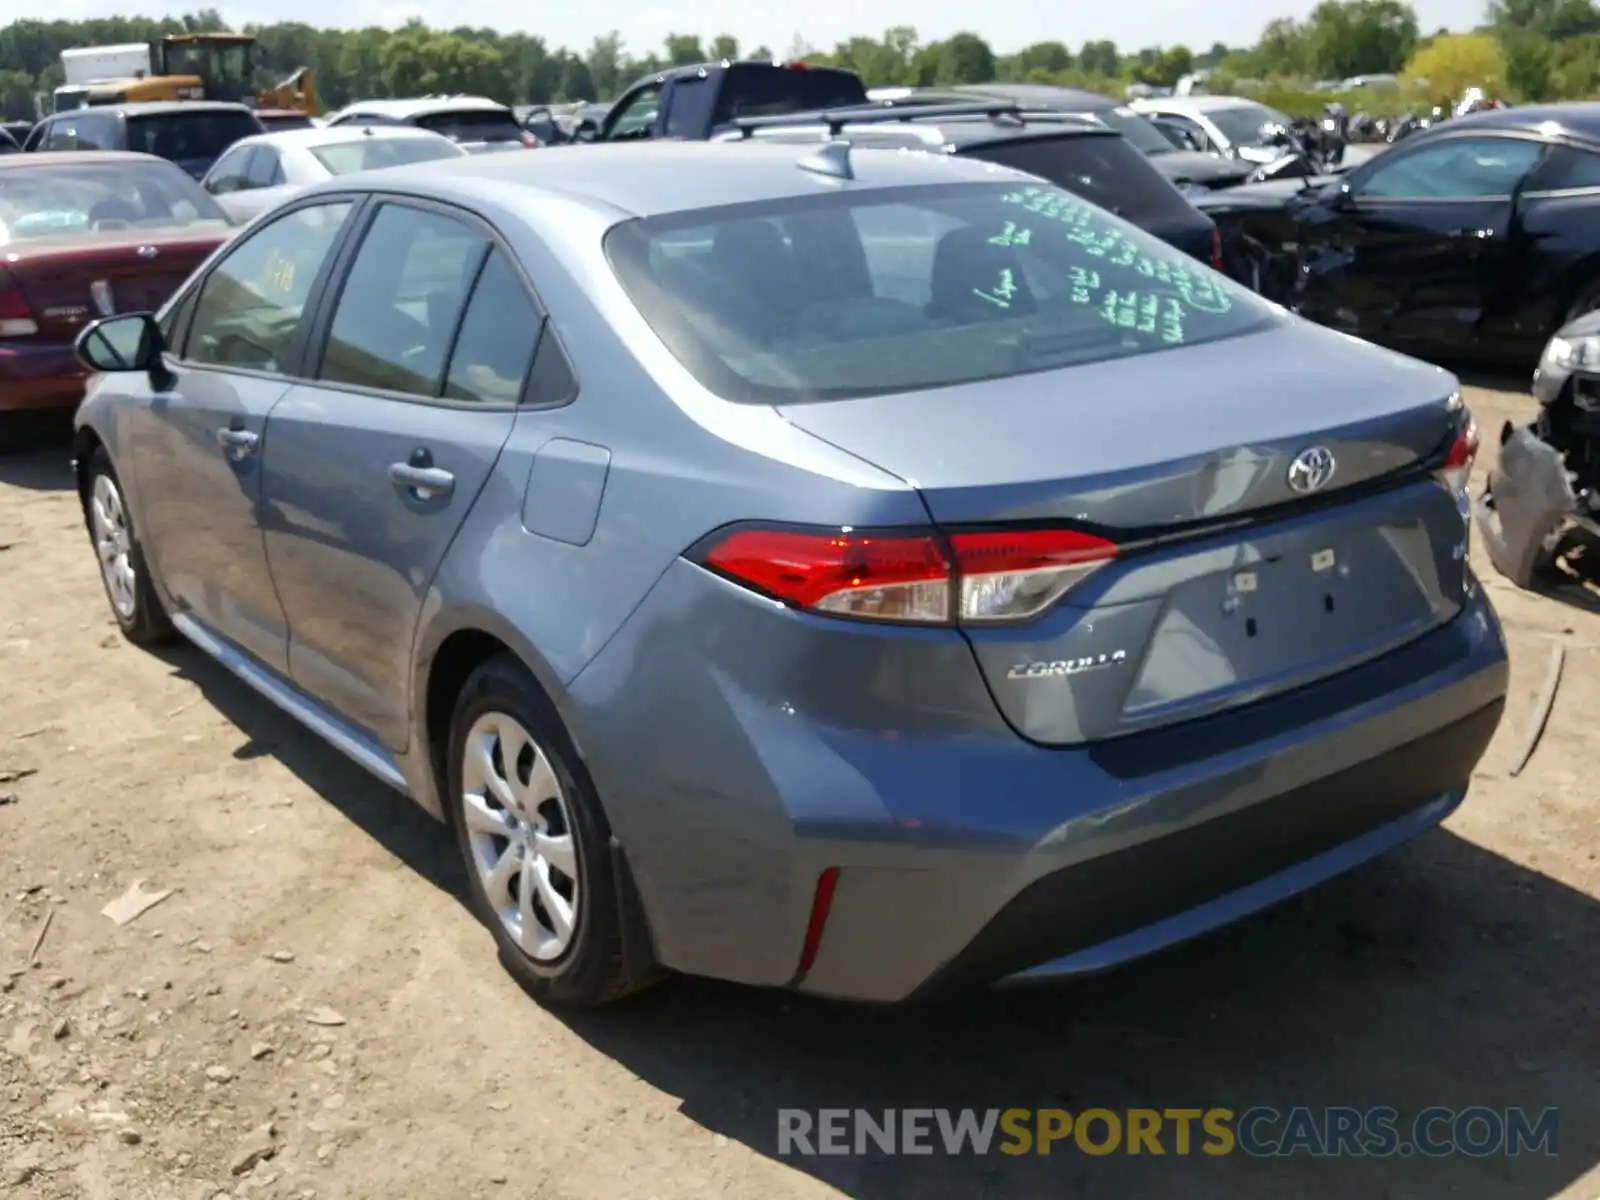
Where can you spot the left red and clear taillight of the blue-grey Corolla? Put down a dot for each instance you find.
(967, 578)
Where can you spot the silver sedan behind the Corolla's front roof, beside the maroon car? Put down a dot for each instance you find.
(258, 174)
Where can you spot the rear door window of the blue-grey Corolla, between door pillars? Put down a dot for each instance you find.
(402, 302)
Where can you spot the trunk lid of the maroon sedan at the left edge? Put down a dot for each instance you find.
(74, 279)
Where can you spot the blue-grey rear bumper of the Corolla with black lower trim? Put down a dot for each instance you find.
(967, 855)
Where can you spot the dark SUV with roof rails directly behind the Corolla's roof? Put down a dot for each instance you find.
(1076, 154)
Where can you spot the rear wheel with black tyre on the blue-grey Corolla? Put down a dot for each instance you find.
(535, 842)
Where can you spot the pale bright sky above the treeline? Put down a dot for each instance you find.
(1007, 25)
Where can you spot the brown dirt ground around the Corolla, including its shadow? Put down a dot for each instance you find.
(316, 972)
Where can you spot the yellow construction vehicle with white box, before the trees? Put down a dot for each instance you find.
(177, 68)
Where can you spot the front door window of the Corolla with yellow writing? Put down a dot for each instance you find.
(252, 303)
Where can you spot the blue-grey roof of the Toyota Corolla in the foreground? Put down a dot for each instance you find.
(662, 178)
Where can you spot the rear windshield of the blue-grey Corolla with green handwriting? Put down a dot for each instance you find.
(894, 290)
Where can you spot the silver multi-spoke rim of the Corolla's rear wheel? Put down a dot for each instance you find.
(522, 836)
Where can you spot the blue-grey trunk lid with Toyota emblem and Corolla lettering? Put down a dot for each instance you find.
(1233, 586)
